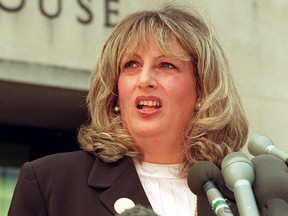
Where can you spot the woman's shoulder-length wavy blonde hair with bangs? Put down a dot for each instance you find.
(219, 126)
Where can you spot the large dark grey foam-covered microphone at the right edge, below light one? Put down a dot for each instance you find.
(271, 185)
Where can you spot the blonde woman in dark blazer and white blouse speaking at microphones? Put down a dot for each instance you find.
(161, 99)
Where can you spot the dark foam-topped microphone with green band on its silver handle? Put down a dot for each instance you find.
(205, 177)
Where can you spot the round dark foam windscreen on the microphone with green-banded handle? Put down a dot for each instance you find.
(202, 172)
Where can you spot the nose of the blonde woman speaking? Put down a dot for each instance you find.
(147, 78)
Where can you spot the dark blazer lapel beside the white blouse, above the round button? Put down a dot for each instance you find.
(120, 180)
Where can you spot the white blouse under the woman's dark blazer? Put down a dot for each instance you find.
(167, 192)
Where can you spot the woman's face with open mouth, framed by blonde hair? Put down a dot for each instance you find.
(157, 93)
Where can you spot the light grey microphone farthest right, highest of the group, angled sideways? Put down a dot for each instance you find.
(261, 144)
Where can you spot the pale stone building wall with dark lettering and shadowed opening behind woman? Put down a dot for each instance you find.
(48, 49)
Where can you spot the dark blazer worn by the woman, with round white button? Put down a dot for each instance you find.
(77, 183)
